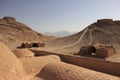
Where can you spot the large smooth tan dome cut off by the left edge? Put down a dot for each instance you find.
(10, 66)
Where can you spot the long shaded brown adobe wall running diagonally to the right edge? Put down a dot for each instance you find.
(91, 63)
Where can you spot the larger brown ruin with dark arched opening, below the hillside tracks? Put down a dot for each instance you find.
(97, 51)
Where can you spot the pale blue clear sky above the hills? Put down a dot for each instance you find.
(57, 15)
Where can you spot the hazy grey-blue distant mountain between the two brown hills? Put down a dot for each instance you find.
(59, 33)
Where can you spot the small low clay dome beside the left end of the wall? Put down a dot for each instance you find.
(23, 53)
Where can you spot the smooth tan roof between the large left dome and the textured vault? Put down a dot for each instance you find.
(34, 65)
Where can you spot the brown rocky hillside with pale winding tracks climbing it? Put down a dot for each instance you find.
(104, 31)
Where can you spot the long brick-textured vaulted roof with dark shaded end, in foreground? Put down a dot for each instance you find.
(64, 71)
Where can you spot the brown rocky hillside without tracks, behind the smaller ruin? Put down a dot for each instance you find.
(13, 33)
